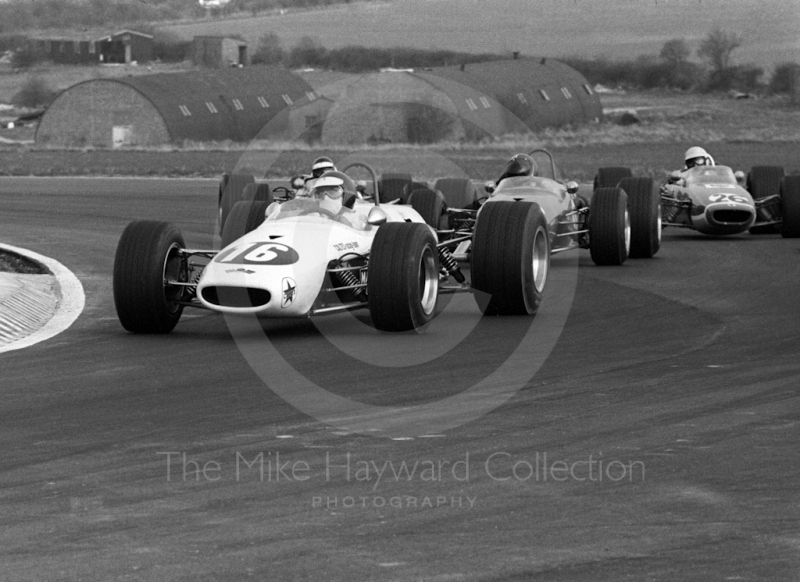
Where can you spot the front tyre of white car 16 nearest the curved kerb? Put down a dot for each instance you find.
(148, 255)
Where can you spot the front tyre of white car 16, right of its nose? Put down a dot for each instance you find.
(403, 277)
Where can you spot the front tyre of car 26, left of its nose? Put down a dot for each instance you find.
(644, 209)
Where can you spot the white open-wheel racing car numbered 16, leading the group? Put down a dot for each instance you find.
(303, 260)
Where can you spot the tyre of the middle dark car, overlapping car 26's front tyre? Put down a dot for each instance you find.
(609, 227)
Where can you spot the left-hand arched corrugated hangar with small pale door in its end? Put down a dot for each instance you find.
(205, 105)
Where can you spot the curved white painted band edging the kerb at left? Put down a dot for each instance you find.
(71, 301)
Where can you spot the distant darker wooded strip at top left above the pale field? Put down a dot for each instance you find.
(20, 15)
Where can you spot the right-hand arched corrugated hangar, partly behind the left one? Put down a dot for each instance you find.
(462, 103)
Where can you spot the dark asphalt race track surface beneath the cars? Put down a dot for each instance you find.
(683, 369)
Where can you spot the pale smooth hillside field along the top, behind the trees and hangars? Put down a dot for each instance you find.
(618, 29)
